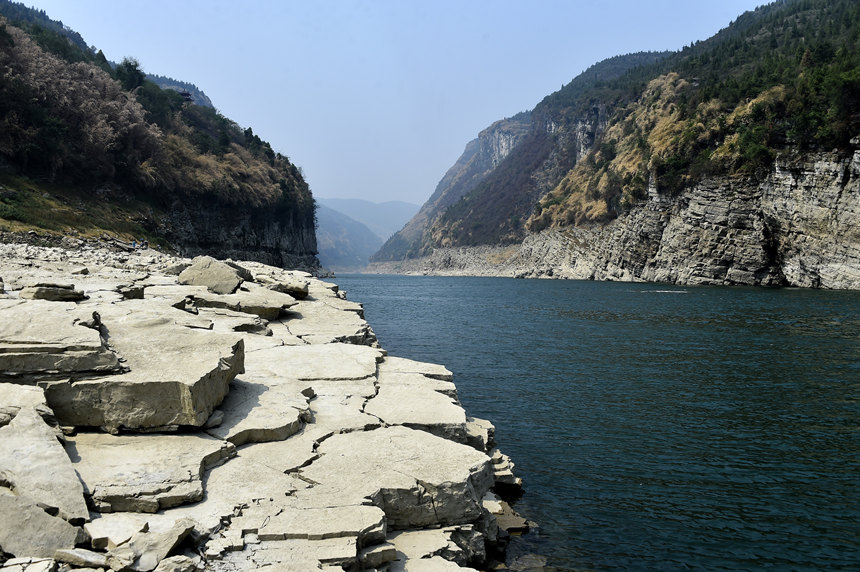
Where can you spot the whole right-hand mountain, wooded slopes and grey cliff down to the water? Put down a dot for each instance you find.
(675, 156)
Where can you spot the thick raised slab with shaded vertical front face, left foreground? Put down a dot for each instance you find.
(177, 376)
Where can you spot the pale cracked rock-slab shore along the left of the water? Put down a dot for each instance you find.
(171, 414)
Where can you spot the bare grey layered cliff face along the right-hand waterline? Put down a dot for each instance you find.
(798, 226)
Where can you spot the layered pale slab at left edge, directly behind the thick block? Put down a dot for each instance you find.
(40, 339)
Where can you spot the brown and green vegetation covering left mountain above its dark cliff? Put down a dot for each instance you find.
(72, 122)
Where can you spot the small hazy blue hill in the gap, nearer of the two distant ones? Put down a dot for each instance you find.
(344, 244)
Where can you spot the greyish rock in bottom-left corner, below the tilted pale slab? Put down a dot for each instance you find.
(27, 530)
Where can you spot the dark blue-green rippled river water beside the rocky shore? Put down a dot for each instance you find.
(656, 427)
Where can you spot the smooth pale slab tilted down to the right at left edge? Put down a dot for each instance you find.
(36, 463)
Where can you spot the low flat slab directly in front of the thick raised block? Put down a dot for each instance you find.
(144, 473)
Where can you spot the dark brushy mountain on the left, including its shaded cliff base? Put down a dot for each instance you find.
(88, 148)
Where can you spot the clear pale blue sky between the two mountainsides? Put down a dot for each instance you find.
(377, 99)
